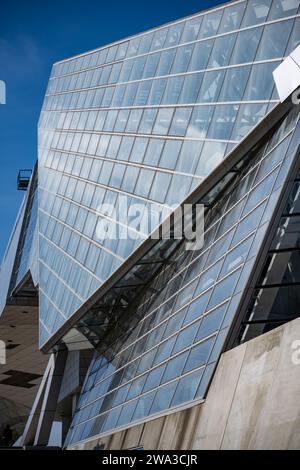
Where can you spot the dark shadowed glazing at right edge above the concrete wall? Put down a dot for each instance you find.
(275, 298)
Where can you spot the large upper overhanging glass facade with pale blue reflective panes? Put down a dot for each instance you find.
(148, 117)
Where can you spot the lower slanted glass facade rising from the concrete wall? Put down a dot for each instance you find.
(168, 359)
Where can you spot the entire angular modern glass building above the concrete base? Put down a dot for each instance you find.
(186, 113)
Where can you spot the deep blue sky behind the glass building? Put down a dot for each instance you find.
(33, 35)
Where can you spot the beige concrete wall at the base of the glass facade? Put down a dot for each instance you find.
(253, 403)
